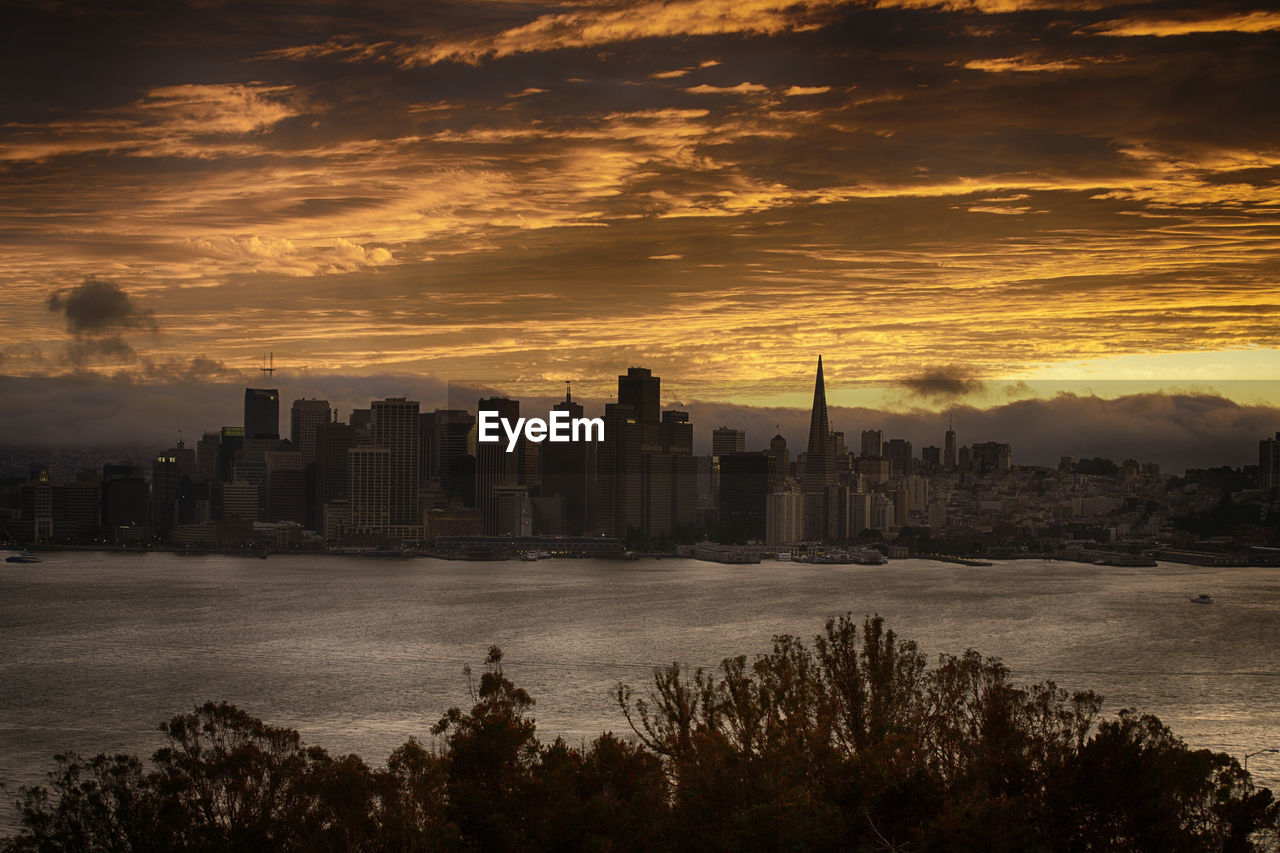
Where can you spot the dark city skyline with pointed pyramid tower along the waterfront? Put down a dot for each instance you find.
(396, 476)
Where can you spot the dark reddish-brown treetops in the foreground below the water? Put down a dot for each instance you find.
(856, 743)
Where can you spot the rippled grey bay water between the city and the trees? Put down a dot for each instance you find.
(360, 654)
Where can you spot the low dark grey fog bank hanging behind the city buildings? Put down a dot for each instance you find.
(1191, 430)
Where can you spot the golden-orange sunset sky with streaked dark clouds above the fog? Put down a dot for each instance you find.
(721, 190)
